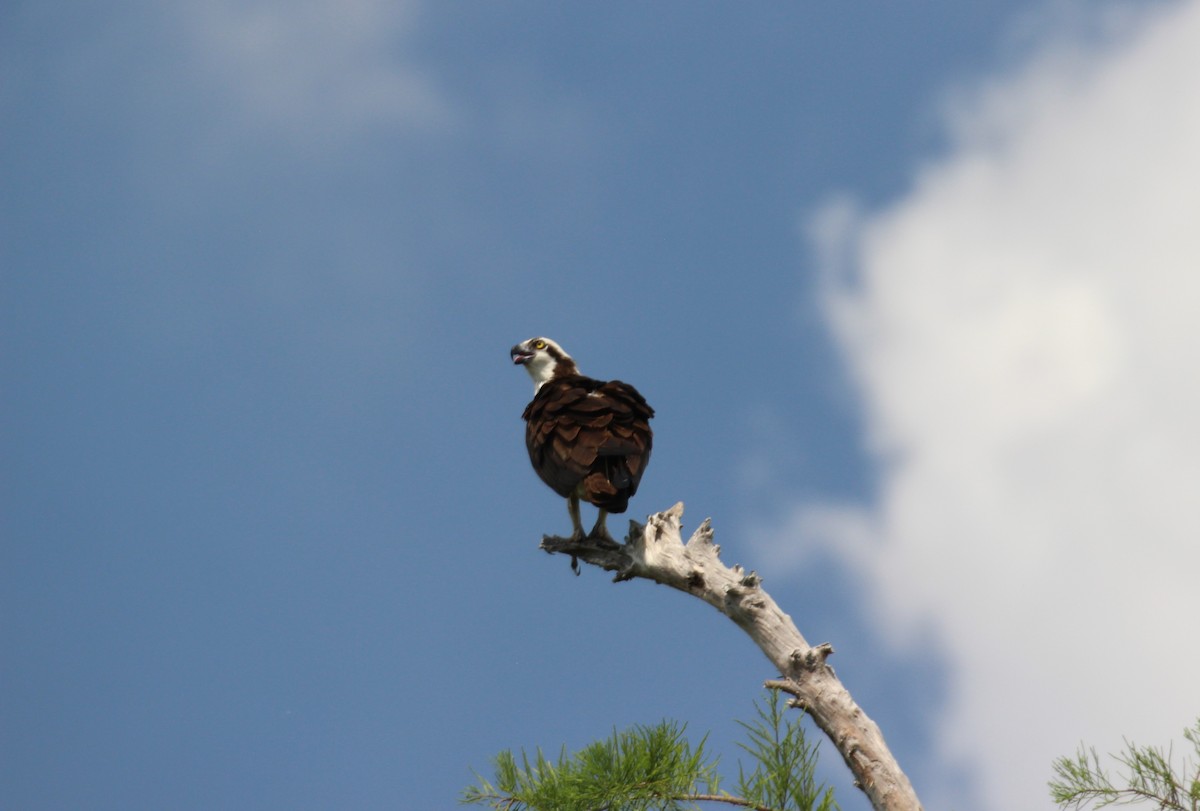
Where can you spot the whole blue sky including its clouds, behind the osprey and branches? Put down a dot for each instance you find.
(269, 530)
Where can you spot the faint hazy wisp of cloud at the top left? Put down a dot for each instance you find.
(319, 69)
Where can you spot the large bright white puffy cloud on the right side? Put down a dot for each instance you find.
(1024, 328)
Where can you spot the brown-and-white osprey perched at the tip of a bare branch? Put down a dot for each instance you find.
(587, 440)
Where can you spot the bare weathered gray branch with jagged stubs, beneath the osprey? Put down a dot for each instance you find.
(657, 552)
